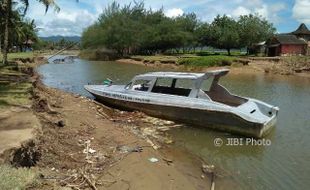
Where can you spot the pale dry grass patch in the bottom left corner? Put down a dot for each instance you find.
(16, 178)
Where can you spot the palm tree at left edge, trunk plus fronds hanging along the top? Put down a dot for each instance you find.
(7, 7)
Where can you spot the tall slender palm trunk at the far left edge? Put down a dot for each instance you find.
(7, 7)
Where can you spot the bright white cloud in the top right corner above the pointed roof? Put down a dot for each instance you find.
(301, 11)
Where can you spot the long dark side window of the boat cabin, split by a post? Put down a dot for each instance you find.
(172, 86)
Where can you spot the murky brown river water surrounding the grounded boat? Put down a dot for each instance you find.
(282, 161)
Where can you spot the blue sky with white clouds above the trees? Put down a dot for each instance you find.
(73, 18)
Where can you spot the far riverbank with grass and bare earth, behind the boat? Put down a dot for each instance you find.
(294, 65)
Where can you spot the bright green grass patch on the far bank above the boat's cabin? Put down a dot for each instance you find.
(207, 61)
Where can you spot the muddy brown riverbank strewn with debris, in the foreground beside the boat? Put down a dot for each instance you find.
(75, 142)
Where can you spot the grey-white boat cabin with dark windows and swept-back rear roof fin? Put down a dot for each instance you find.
(193, 85)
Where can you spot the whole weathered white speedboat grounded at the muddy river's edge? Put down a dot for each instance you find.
(193, 98)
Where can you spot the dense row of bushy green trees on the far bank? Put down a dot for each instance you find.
(133, 29)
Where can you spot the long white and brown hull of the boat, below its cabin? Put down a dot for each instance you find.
(211, 115)
